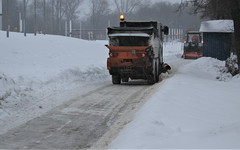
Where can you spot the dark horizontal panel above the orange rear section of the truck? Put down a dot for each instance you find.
(129, 41)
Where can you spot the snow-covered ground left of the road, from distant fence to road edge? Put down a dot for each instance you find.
(34, 69)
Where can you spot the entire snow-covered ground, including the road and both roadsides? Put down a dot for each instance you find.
(56, 93)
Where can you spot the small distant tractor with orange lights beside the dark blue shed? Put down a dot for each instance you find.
(193, 45)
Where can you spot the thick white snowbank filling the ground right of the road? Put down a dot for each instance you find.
(191, 110)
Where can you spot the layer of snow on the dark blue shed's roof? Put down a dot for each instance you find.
(217, 26)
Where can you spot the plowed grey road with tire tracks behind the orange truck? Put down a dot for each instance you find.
(80, 122)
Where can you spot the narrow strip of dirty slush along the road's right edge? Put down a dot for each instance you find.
(128, 115)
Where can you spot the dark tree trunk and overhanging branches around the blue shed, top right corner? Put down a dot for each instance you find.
(219, 9)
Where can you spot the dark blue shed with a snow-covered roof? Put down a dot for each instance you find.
(217, 37)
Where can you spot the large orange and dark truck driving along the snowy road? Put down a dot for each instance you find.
(136, 51)
